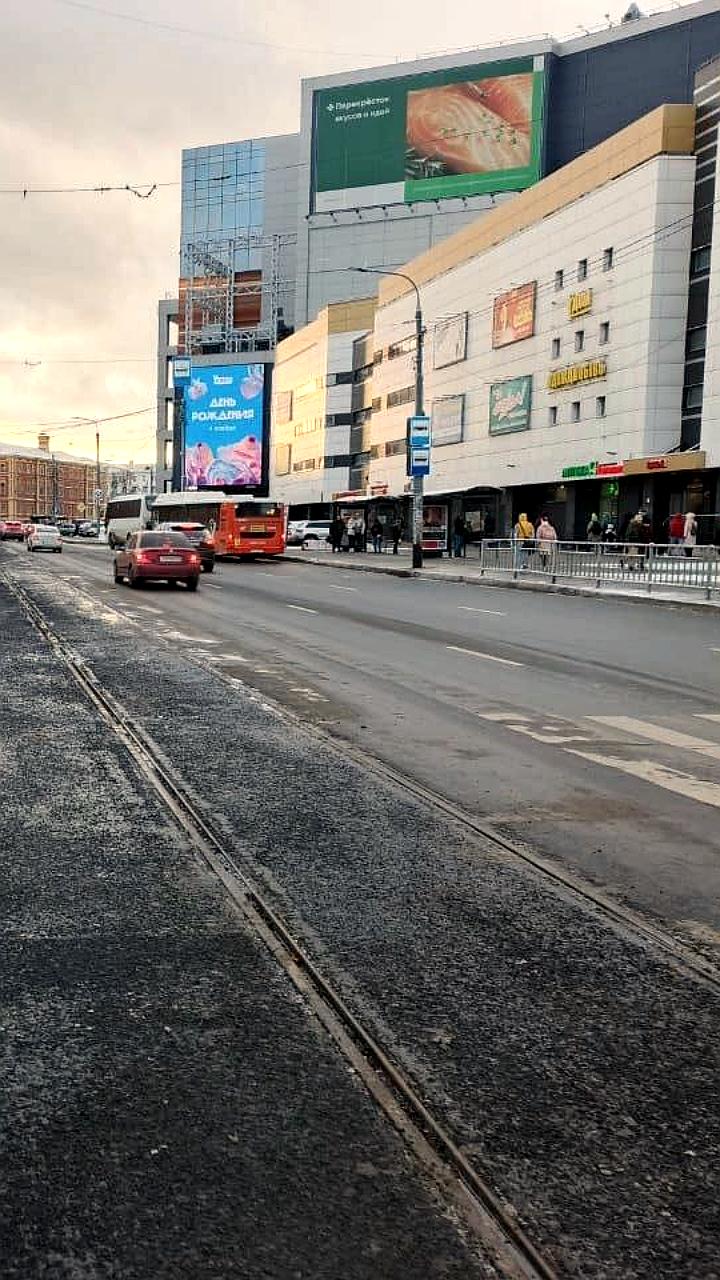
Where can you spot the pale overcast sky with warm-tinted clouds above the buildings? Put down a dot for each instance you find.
(89, 98)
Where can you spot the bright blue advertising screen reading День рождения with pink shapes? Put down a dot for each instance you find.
(224, 427)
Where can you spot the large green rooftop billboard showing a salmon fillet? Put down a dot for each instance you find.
(464, 131)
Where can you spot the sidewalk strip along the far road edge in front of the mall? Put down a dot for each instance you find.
(468, 572)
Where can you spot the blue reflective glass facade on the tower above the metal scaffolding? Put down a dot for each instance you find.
(224, 198)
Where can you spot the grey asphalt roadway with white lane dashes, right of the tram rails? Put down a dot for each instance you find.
(589, 729)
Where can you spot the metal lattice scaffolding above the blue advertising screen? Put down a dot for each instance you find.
(227, 305)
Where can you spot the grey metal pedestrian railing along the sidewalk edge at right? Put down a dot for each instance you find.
(654, 566)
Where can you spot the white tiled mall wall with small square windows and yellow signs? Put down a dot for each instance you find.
(644, 217)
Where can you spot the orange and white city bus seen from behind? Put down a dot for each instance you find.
(241, 525)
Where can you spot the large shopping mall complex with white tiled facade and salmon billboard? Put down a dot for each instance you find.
(560, 230)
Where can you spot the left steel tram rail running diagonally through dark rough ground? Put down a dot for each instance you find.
(463, 1188)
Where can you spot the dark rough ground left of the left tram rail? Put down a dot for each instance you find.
(170, 1108)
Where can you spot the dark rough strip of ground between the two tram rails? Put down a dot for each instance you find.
(576, 1067)
